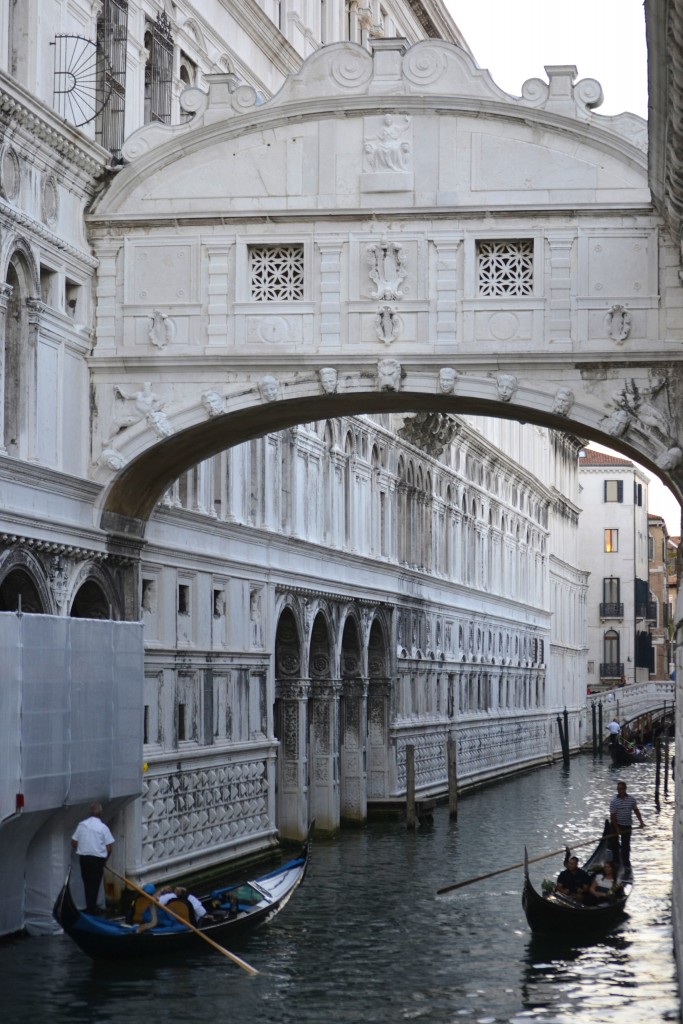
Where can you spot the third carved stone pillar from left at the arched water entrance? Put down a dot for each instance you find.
(354, 731)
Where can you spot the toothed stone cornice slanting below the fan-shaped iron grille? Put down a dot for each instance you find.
(40, 122)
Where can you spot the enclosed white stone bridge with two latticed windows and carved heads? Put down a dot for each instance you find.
(392, 232)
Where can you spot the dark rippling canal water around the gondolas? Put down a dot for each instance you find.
(367, 941)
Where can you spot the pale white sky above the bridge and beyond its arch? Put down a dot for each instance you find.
(606, 39)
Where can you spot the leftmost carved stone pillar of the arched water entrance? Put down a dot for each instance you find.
(292, 730)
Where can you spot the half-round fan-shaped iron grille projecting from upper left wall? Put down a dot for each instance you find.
(82, 79)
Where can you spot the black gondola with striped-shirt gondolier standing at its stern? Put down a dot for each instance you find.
(564, 916)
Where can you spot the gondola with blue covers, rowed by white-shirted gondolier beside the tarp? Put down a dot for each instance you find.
(235, 911)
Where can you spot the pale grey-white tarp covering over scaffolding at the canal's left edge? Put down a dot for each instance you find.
(71, 733)
